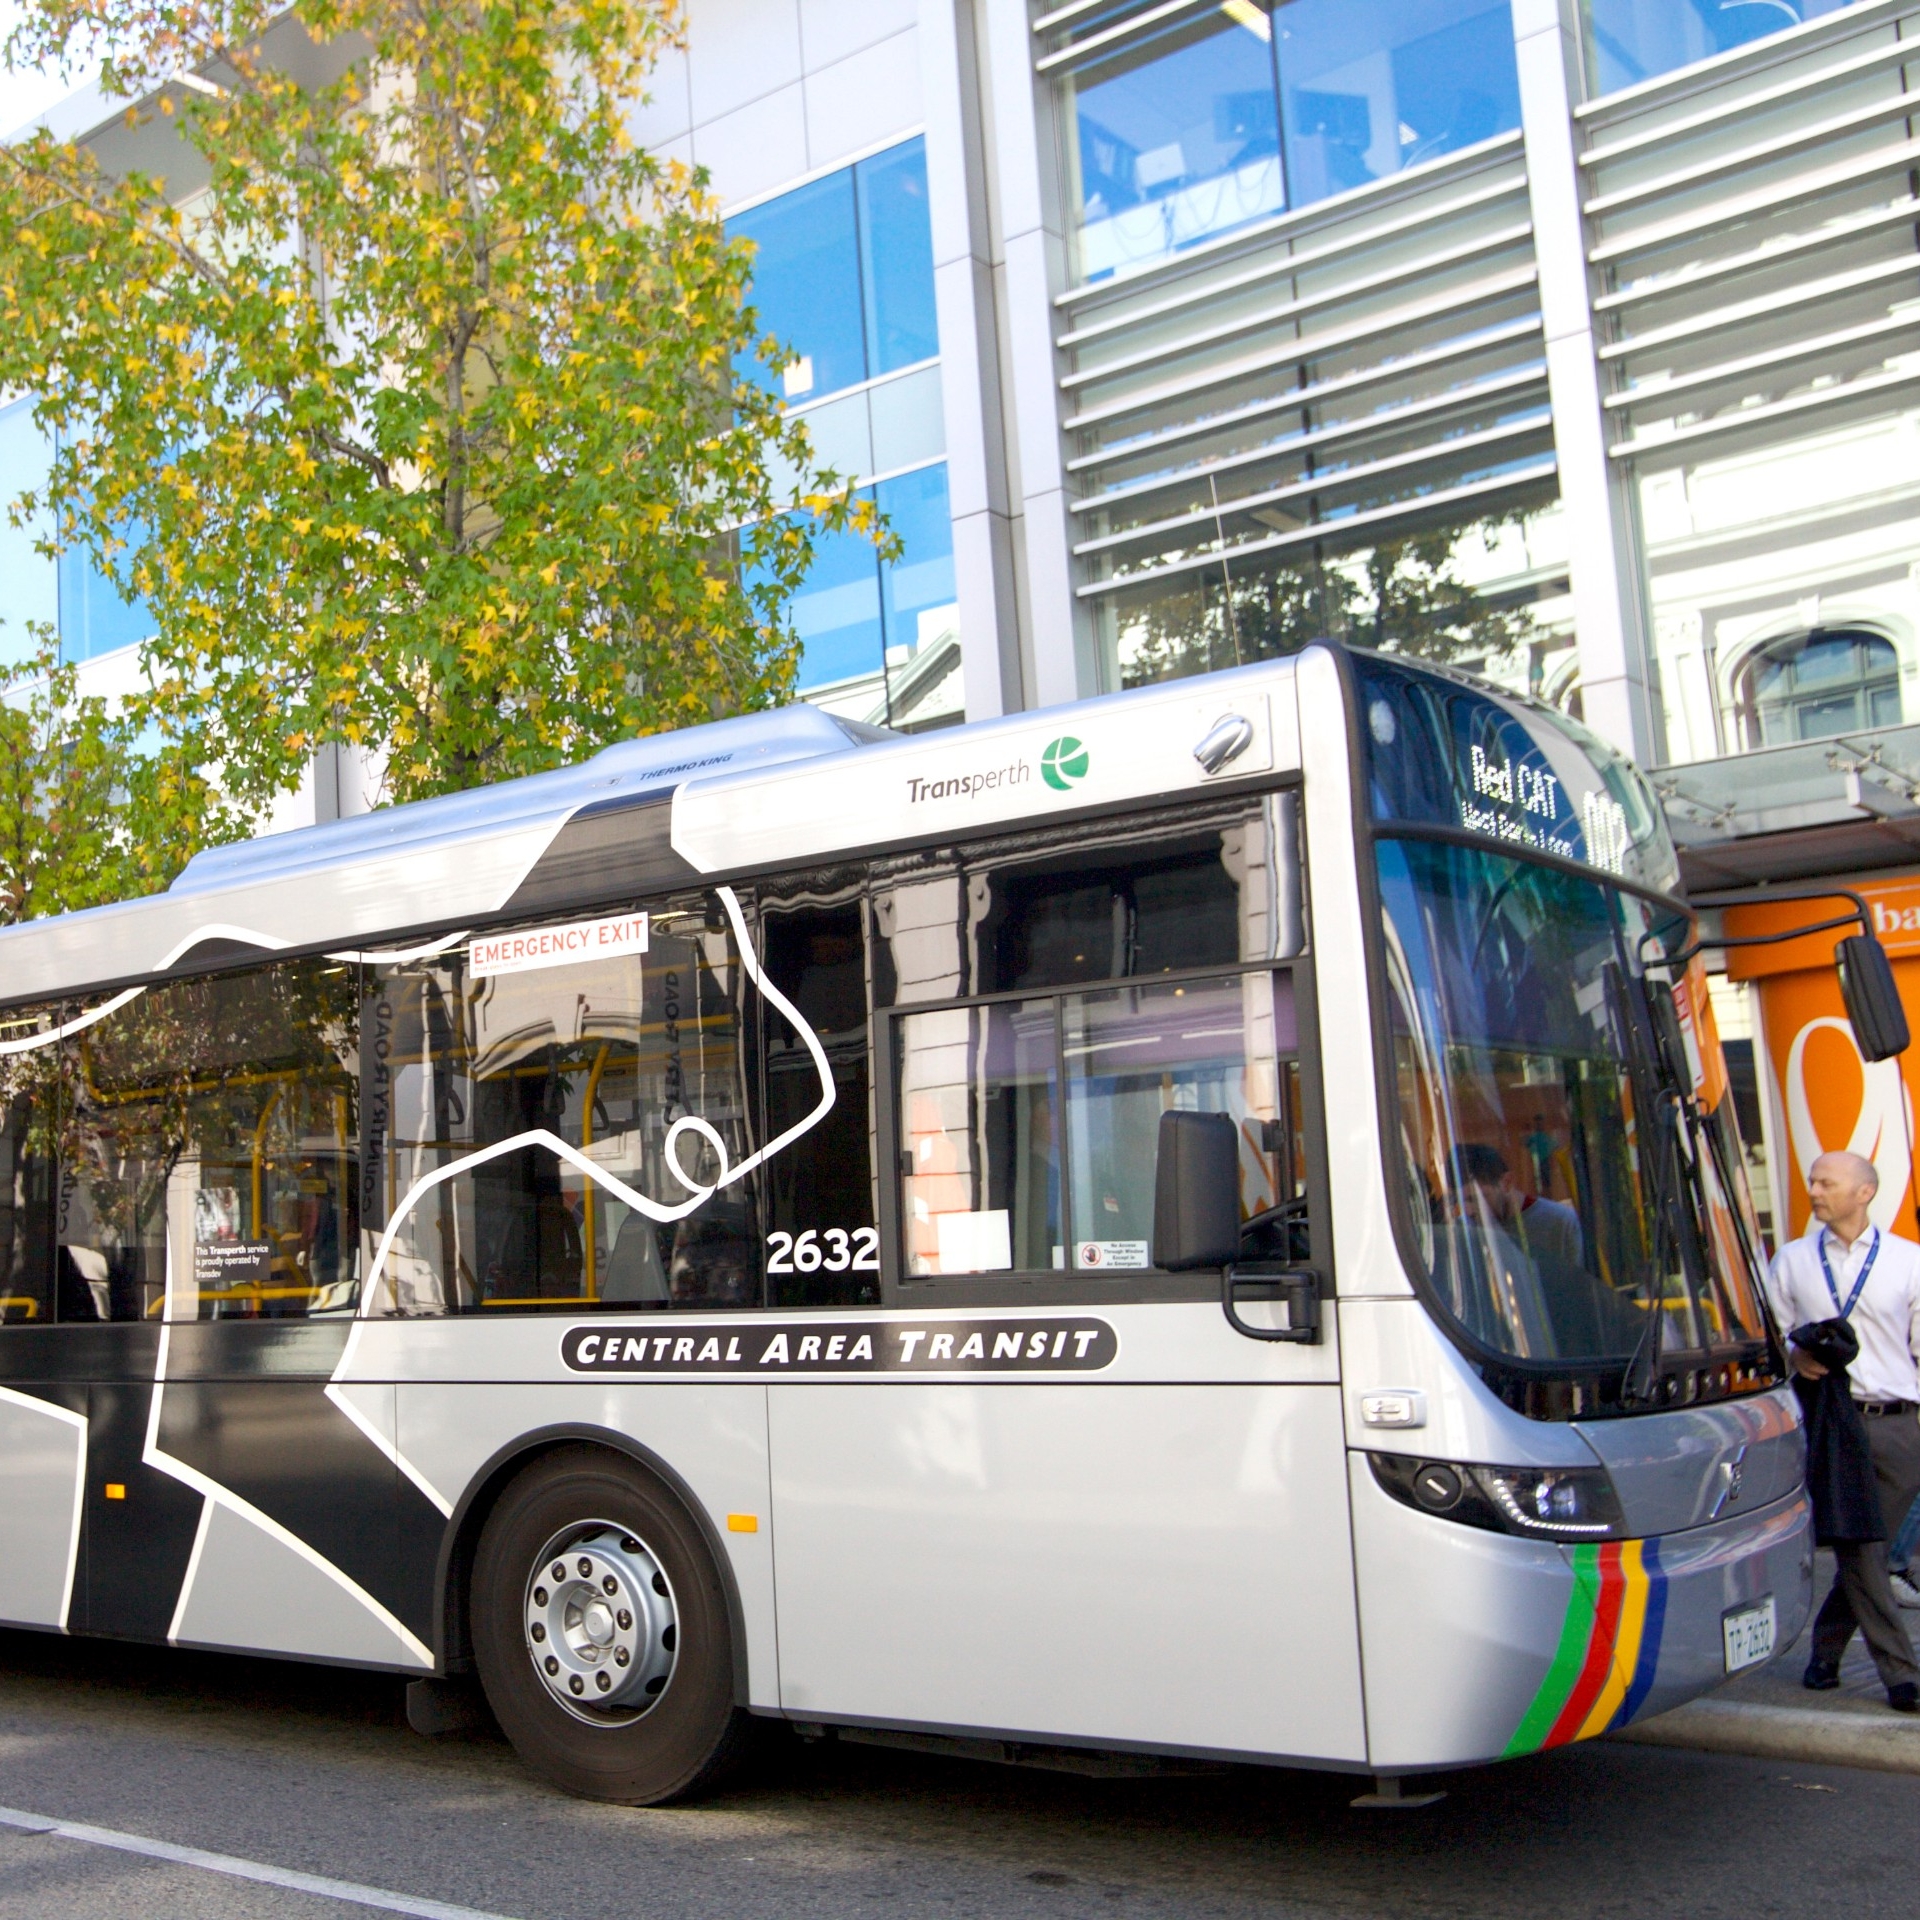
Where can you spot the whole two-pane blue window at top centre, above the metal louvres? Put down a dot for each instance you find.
(1237, 112)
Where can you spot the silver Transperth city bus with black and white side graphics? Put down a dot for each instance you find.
(1201, 1224)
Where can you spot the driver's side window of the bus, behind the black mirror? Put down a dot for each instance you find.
(1090, 988)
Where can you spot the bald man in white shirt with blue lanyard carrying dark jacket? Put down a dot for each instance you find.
(1846, 1268)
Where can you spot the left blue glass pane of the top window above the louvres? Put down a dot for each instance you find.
(1176, 139)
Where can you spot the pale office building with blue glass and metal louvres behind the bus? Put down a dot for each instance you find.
(1575, 343)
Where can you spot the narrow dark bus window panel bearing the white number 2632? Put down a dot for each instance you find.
(823, 1247)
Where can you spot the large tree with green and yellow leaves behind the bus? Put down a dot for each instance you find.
(416, 402)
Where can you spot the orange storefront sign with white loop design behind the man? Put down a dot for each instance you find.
(1825, 1097)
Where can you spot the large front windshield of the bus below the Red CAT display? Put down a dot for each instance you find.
(1575, 1207)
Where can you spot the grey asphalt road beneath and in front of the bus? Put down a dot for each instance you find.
(314, 1771)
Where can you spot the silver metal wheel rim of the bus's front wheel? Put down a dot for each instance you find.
(600, 1623)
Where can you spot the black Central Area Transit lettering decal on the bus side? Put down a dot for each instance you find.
(1078, 1345)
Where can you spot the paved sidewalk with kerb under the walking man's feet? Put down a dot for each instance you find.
(1771, 1716)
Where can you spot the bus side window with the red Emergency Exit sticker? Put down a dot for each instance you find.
(594, 1084)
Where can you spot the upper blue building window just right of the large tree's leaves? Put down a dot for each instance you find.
(844, 274)
